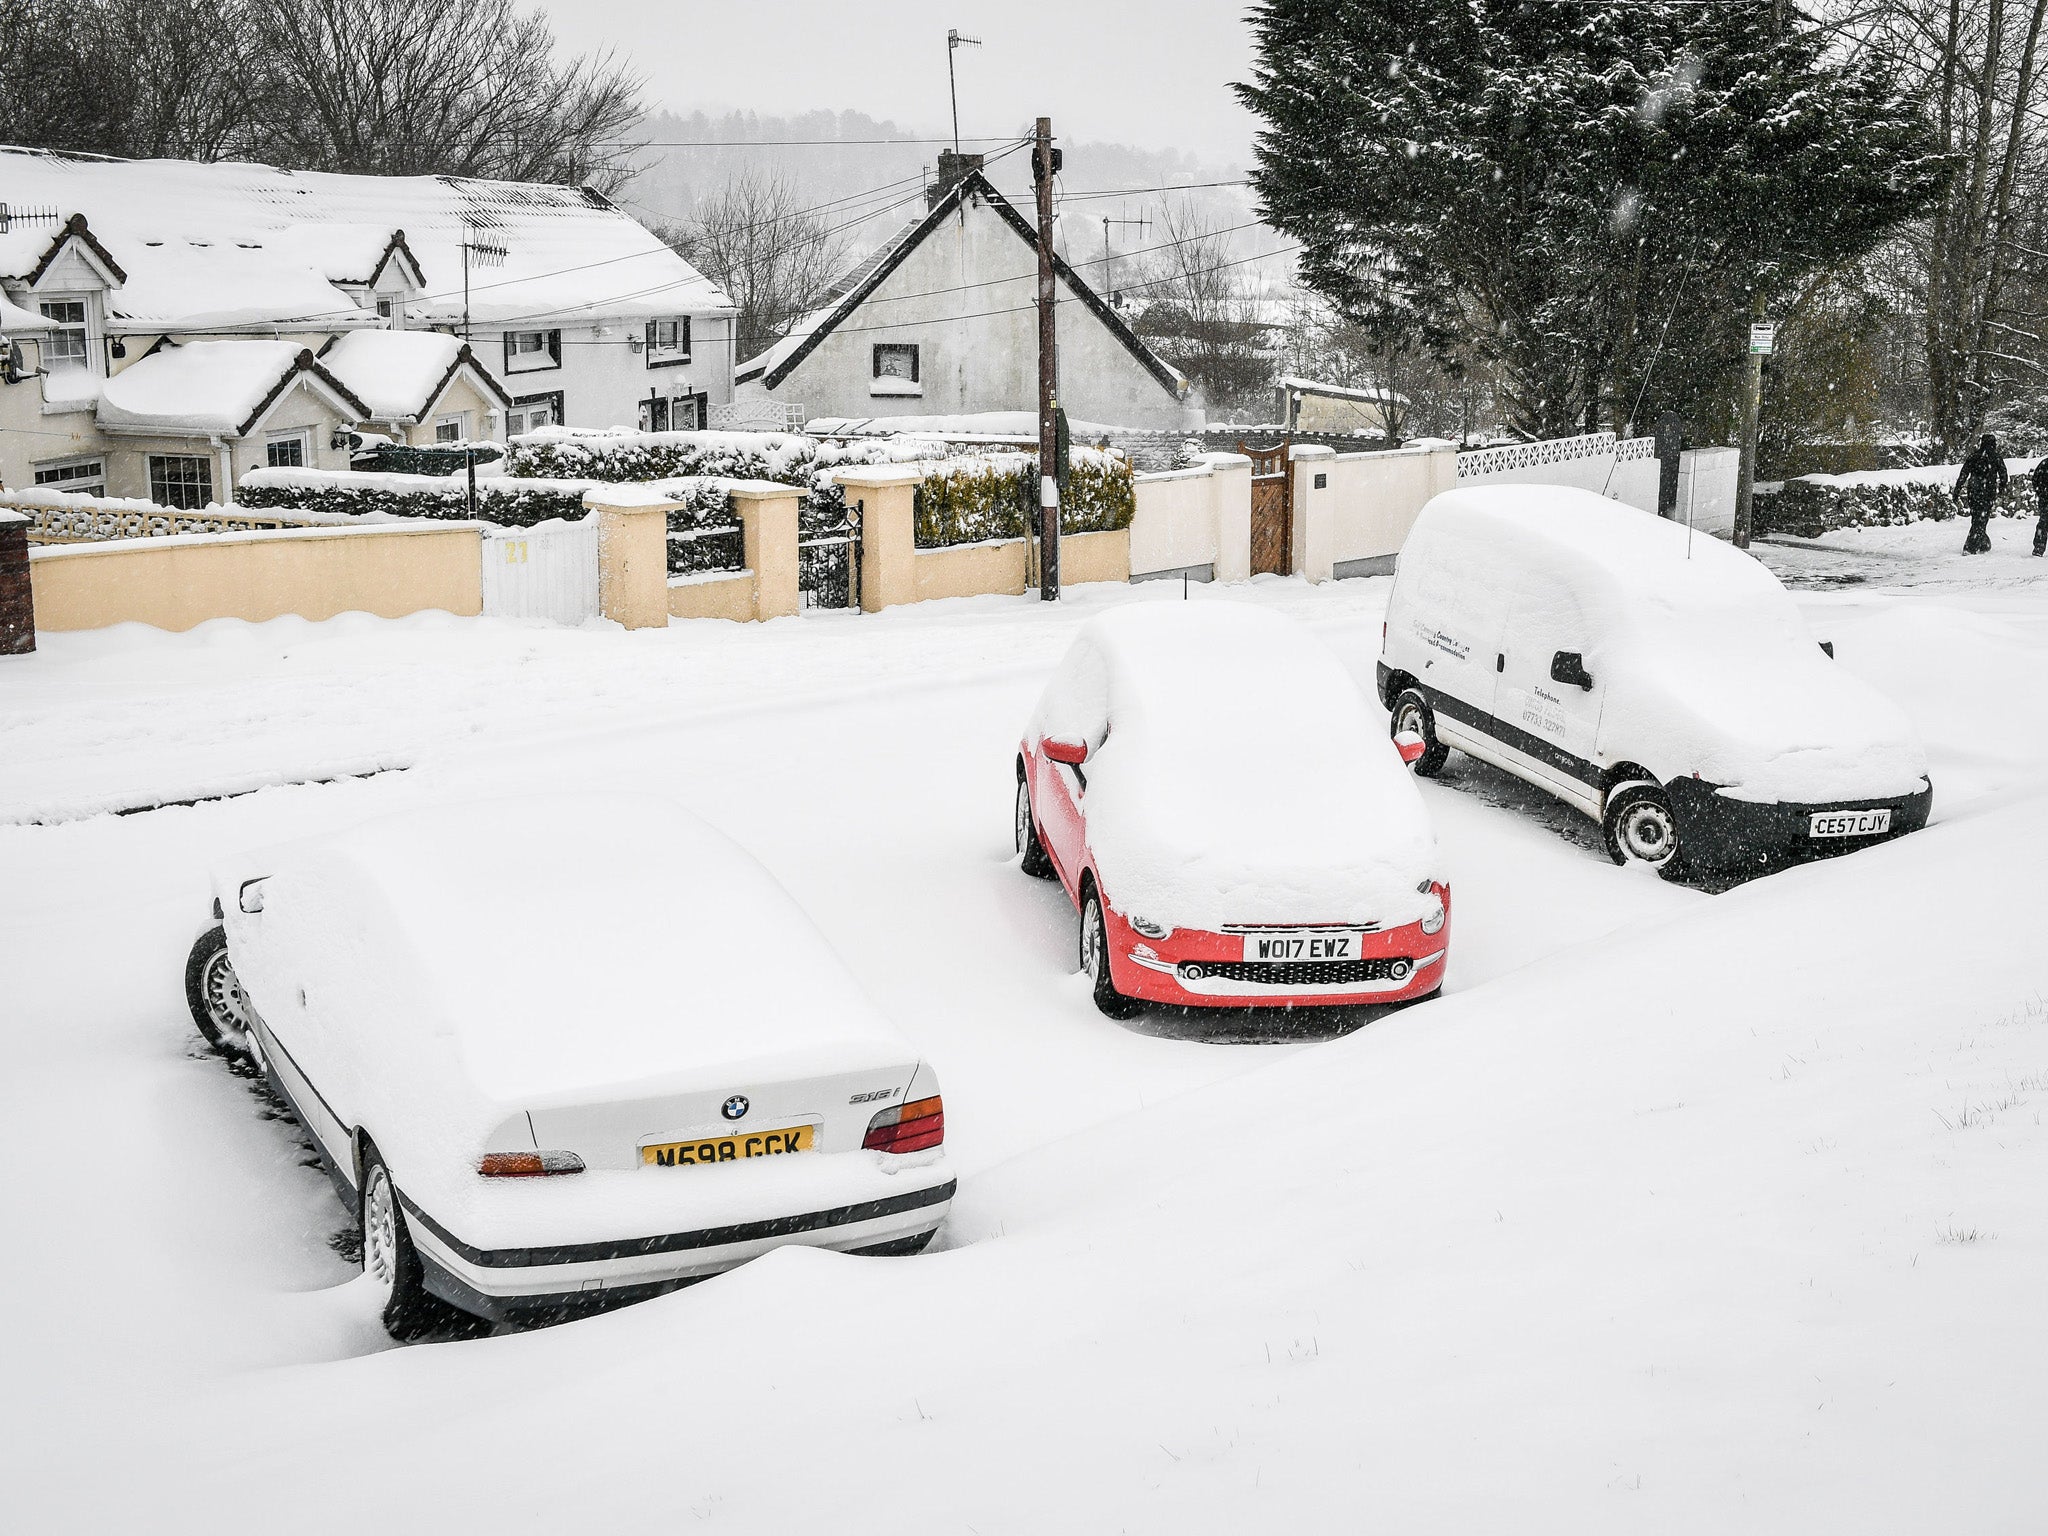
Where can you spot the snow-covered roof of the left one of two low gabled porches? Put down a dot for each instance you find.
(214, 388)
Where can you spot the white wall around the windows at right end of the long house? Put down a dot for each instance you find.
(603, 380)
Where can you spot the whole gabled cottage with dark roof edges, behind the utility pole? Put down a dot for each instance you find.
(941, 321)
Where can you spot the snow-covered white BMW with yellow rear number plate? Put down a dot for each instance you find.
(566, 1054)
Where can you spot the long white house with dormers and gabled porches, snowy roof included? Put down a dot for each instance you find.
(173, 325)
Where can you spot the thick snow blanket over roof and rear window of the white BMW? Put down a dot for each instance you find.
(548, 949)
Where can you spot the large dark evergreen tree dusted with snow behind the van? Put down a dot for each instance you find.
(1582, 196)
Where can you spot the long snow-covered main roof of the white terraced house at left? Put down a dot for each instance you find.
(243, 245)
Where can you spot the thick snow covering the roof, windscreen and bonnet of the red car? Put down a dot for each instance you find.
(1238, 773)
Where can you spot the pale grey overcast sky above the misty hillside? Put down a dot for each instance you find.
(1144, 73)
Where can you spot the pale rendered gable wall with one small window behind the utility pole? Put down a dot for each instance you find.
(966, 300)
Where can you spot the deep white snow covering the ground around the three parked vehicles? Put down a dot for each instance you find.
(1680, 1211)
